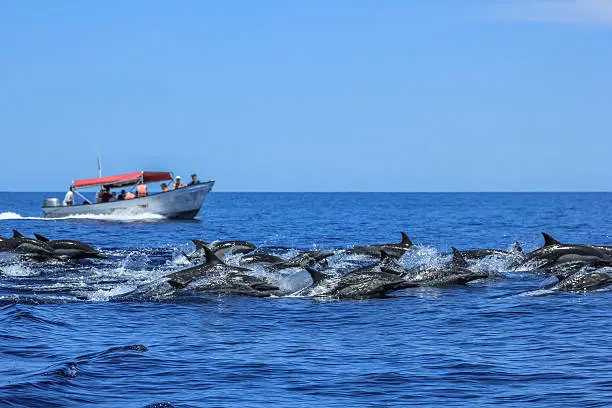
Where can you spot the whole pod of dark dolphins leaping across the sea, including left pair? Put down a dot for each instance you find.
(257, 273)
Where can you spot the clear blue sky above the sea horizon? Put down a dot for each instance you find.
(309, 95)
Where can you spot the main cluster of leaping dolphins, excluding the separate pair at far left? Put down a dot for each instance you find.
(377, 279)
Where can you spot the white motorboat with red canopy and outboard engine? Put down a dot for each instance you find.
(182, 203)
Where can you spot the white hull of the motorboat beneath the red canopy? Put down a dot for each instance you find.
(183, 203)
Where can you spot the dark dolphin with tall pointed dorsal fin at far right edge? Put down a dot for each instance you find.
(553, 254)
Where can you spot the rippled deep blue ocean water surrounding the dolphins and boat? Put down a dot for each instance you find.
(493, 342)
